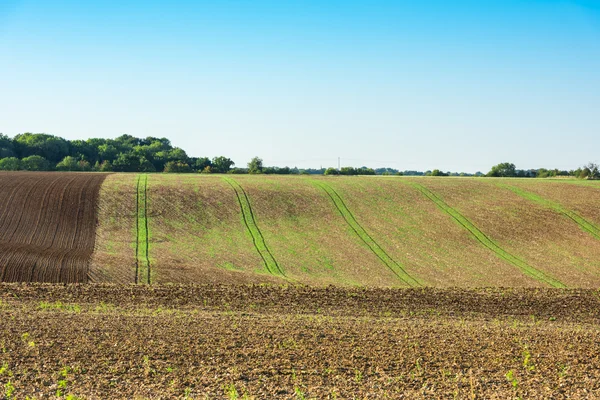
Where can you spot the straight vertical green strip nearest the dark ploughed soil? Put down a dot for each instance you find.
(142, 258)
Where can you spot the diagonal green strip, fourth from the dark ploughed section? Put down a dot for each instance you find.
(487, 242)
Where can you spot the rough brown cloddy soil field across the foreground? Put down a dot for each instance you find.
(218, 341)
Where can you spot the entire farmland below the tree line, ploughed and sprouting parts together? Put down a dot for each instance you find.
(297, 287)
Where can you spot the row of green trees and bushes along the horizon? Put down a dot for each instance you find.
(43, 152)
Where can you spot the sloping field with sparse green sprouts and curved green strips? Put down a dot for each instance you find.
(350, 231)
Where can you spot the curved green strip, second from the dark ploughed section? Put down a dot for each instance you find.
(257, 237)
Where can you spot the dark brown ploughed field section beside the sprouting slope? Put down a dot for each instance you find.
(47, 226)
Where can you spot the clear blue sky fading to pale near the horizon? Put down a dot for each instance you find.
(453, 85)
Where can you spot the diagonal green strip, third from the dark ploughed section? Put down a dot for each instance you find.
(394, 266)
